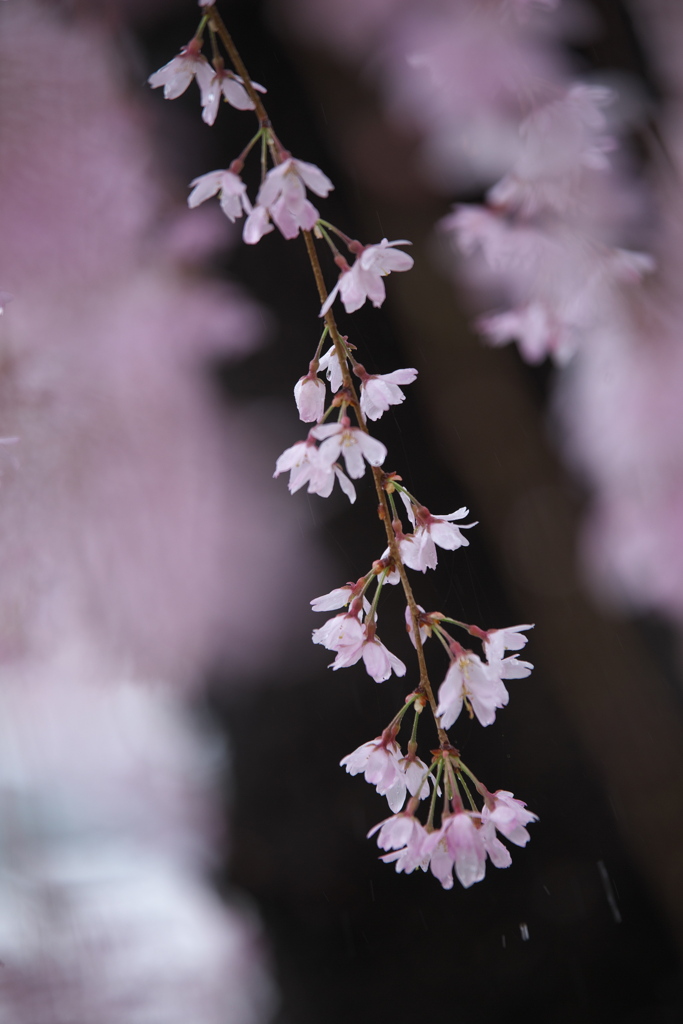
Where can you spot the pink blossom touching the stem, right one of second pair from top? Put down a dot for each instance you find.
(283, 198)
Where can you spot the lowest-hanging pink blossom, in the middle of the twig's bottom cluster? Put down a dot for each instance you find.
(458, 843)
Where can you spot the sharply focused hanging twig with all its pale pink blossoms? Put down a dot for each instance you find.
(413, 534)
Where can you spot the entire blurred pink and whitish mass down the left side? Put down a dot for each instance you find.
(142, 544)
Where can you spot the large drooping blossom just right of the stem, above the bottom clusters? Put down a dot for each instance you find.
(471, 678)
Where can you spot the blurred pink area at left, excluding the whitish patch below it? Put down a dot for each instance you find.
(135, 507)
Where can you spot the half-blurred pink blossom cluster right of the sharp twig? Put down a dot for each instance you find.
(540, 241)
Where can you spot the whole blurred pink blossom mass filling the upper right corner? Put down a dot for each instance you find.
(493, 100)
